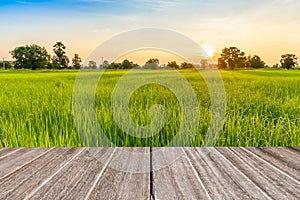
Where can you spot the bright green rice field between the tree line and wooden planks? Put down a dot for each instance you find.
(263, 108)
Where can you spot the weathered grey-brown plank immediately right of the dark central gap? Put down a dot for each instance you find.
(177, 180)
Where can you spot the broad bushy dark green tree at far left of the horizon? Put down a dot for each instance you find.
(30, 57)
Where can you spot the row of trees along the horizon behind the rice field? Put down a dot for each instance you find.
(36, 57)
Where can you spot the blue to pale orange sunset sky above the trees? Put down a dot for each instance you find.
(268, 28)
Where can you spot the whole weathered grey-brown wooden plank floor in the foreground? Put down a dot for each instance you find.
(200, 173)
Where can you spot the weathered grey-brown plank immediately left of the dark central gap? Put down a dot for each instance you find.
(114, 184)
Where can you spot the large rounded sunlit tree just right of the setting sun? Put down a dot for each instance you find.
(232, 58)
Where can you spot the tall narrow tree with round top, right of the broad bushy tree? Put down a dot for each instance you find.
(60, 60)
